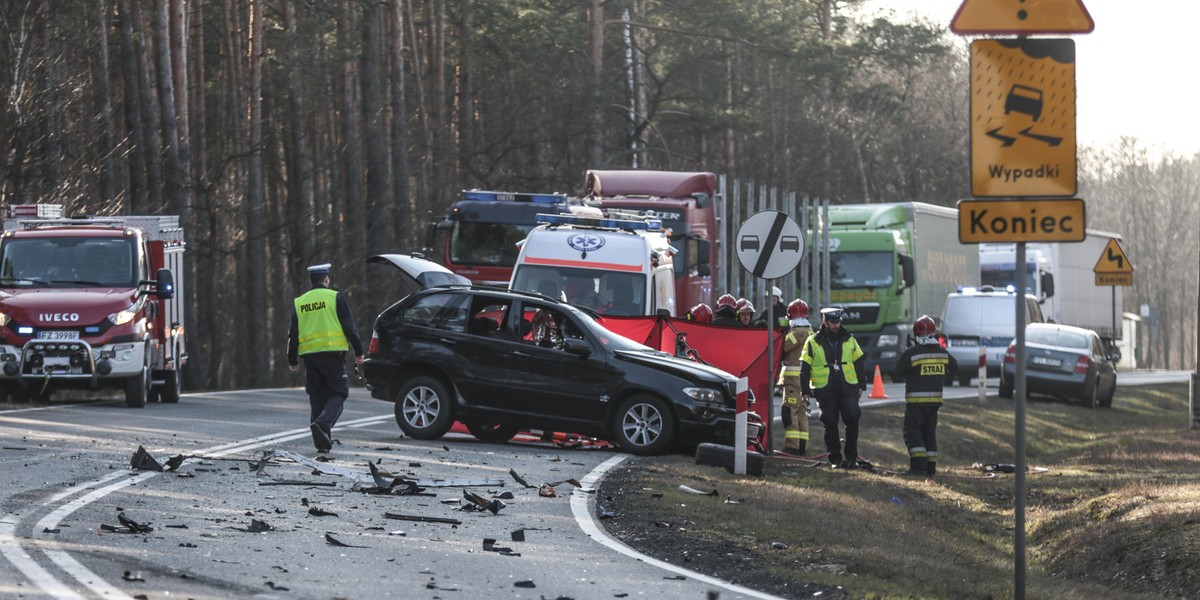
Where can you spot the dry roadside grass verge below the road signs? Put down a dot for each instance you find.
(1115, 515)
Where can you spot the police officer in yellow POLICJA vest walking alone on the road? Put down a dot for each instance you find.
(322, 331)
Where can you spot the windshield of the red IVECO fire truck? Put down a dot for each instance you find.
(69, 262)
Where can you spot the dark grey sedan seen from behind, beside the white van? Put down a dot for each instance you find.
(1064, 362)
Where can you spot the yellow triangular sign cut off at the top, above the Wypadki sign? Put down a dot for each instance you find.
(1021, 17)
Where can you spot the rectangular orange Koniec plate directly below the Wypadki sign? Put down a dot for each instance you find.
(1016, 221)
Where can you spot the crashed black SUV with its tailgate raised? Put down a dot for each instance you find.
(503, 362)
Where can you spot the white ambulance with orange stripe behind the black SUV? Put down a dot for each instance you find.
(610, 266)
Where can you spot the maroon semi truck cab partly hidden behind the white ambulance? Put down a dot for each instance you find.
(683, 202)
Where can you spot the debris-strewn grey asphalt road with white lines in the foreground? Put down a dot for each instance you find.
(69, 481)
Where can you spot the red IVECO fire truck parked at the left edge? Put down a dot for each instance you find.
(91, 303)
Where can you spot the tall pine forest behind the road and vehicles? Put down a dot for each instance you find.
(289, 133)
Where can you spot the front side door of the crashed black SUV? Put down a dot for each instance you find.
(551, 382)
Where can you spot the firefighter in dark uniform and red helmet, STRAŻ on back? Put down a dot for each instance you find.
(923, 368)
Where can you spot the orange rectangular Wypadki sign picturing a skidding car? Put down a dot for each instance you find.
(1023, 118)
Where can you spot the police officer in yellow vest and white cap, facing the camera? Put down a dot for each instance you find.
(832, 371)
